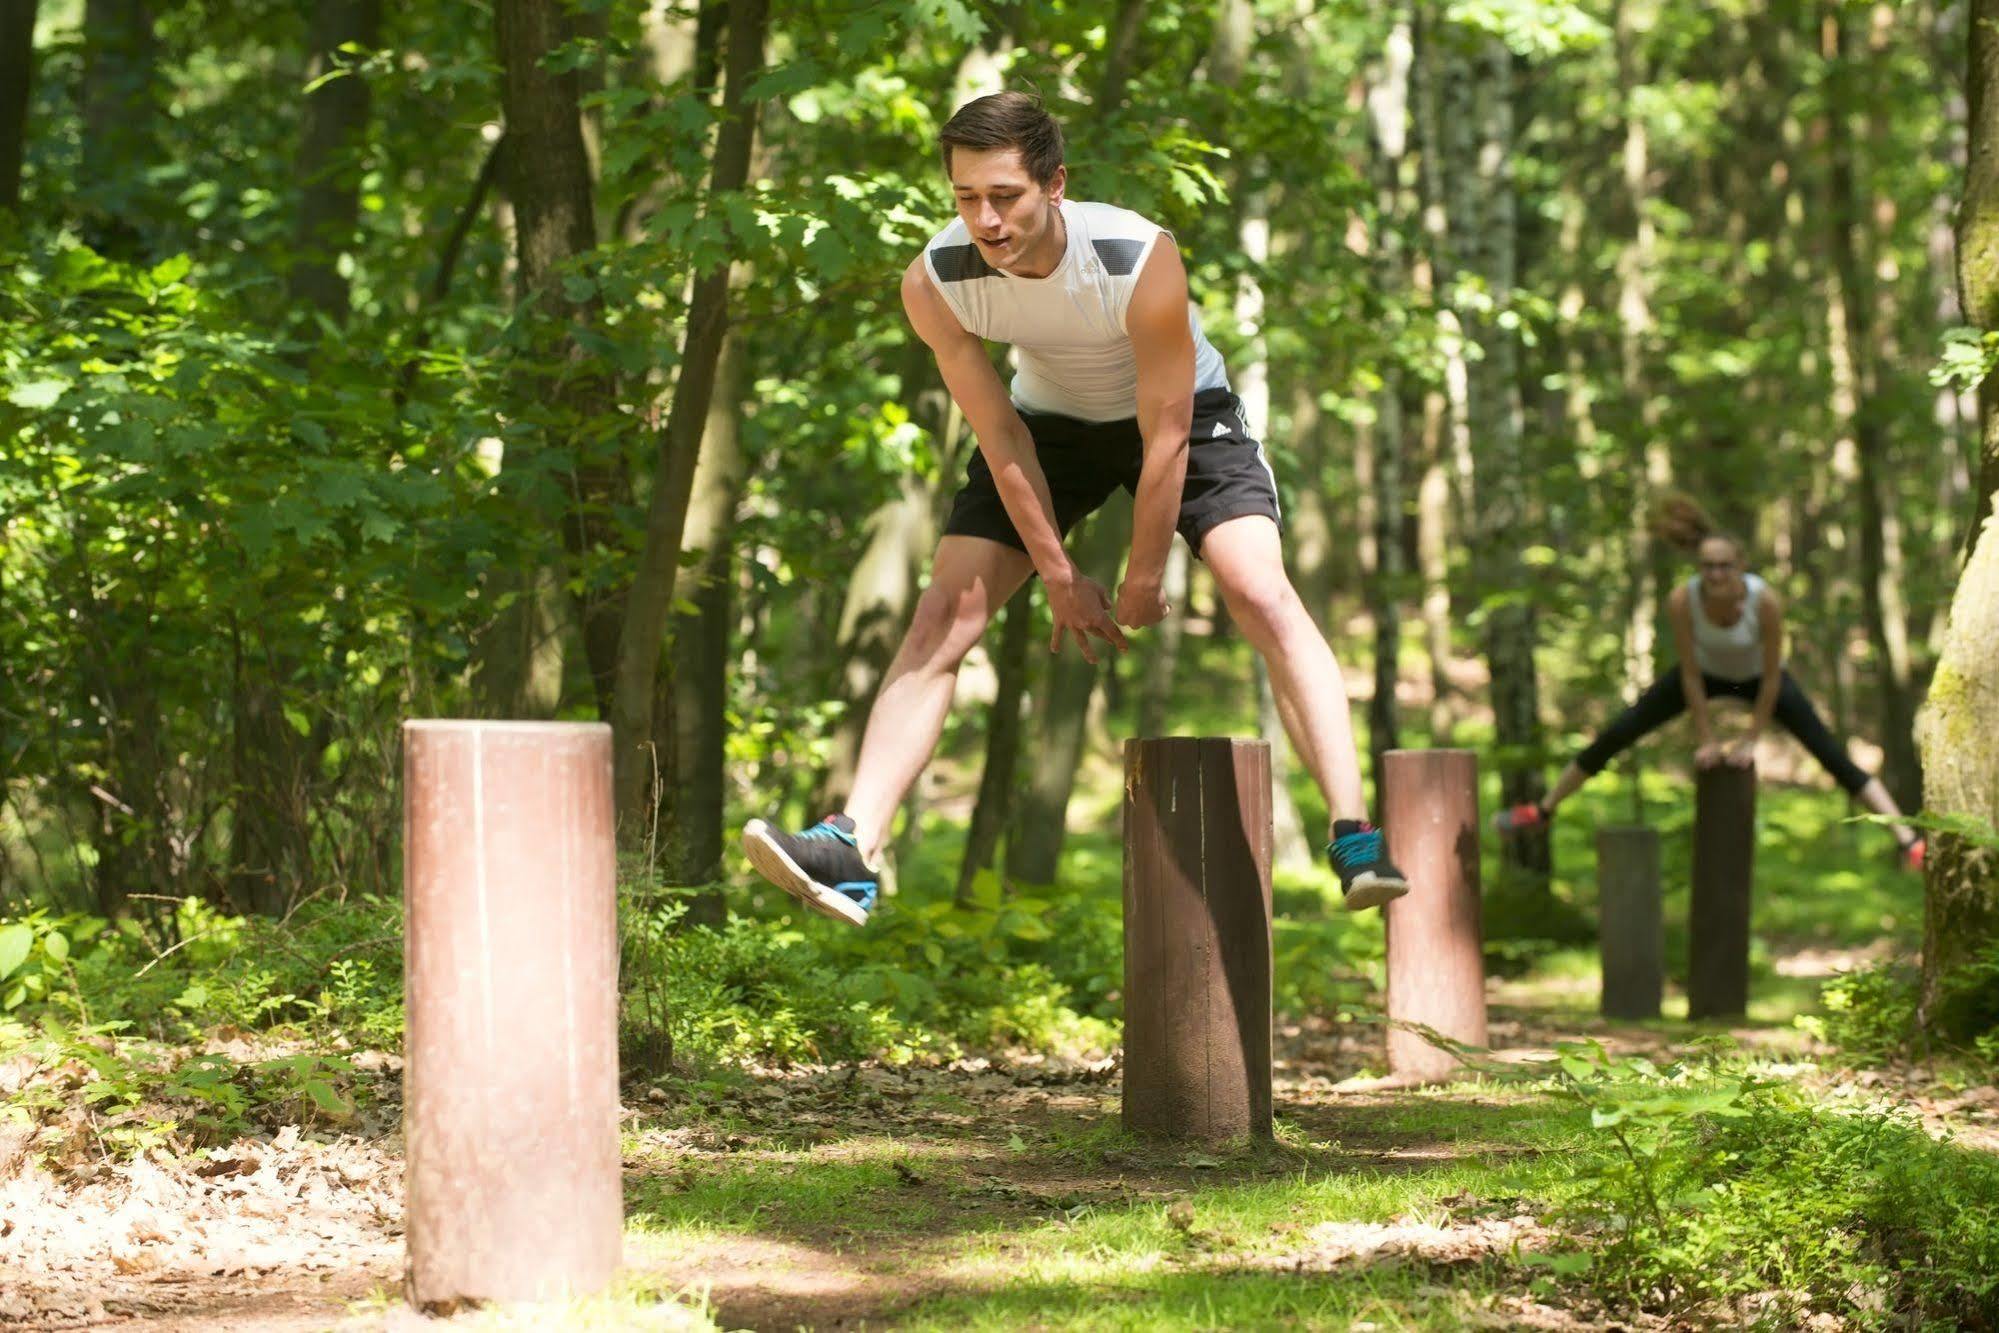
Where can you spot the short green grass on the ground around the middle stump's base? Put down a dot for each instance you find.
(1084, 1228)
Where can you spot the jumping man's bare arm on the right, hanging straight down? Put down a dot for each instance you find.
(1164, 349)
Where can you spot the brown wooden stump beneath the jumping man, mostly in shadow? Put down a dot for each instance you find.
(1196, 912)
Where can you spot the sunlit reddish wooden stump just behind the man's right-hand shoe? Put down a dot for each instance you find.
(1436, 972)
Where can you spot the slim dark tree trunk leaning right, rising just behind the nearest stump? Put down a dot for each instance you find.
(667, 515)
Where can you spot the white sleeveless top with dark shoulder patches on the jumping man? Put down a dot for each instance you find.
(1068, 329)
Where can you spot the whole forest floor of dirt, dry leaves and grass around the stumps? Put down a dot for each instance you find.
(981, 1194)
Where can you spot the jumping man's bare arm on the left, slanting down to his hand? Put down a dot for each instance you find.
(1078, 603)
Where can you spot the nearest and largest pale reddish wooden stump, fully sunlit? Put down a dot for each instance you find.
(511, 980)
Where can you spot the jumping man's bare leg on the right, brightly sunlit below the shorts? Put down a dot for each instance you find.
(1246, 559)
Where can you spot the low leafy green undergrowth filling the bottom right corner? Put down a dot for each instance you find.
(1728, 1190)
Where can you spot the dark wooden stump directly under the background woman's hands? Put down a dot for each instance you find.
(1724, 860)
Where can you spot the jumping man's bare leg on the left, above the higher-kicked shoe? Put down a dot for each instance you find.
(971, 581)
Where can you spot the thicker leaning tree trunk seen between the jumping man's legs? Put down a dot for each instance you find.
(1040, 824)
